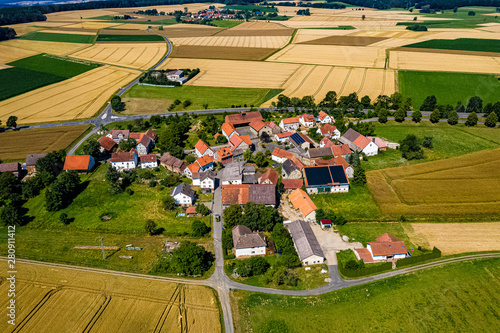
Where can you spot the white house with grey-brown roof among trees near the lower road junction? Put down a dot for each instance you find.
(248, 243)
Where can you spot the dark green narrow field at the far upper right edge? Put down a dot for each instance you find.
(464, 44)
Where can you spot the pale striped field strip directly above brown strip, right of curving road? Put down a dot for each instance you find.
(235, 41)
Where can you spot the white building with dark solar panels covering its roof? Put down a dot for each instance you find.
(326, 179)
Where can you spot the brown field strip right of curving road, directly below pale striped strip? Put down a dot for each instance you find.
(218, 52)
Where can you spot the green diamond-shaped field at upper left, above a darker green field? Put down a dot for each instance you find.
(65, 67)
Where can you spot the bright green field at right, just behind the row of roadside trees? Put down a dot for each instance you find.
(449, 88)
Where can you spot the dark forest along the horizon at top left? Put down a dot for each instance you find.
(15, 15)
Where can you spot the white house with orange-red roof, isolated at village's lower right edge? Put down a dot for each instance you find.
(386, 248)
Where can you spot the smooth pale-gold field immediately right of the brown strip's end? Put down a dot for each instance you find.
(350, 56)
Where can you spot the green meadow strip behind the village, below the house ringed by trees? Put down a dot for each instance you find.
(215, 97)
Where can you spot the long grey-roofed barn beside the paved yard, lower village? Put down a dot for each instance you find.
(304, 239)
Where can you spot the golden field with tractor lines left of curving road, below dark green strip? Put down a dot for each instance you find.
(140, 55)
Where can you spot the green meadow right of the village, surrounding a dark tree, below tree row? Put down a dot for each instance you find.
(449, 141)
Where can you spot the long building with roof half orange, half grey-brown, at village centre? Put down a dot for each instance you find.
(241, 194)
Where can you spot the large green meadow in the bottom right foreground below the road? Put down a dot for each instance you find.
(453, 298)
